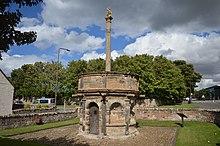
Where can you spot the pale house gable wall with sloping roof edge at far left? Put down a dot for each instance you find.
(6, 95)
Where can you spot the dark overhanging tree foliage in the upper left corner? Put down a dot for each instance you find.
(9, 19)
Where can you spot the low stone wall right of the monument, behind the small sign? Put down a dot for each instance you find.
(205, 115)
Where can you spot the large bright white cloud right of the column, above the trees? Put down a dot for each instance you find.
(203, 52)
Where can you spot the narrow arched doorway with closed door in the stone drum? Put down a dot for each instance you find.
(94, 118)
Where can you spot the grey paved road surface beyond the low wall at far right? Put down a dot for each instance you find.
(208, 104)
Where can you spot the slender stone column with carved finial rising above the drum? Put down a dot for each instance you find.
(108, 19)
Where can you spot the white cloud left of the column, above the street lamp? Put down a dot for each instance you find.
(49, 36)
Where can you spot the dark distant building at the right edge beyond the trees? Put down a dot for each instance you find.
(214, 92)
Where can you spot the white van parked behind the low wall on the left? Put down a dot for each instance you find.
(44, 101)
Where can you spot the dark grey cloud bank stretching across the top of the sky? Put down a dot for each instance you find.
(134, 18)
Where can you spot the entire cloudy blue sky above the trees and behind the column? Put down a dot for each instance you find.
(177, 29)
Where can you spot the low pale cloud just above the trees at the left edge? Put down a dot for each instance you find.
(16, 61)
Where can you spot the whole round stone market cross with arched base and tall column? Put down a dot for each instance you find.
(108, 99)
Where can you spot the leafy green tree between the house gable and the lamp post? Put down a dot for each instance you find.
(36, 80)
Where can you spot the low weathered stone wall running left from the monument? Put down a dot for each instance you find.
(21, 120)
